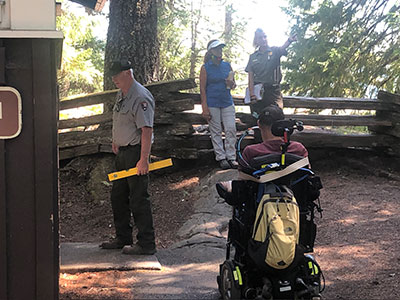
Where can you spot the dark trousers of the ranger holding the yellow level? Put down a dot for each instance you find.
(130, 195)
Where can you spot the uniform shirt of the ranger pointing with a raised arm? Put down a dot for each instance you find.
(266, 66)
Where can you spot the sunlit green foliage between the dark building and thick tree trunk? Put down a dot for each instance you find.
(83, 54)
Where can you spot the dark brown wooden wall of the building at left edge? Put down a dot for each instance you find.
(29, 255)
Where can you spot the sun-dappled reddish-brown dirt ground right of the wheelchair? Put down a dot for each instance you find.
(358, 242)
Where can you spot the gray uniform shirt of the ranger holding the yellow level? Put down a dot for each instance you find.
(131, 113)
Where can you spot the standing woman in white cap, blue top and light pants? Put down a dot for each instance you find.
(216, 82)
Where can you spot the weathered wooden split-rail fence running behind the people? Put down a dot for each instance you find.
(174, 127)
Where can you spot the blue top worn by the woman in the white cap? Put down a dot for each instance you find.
(217, 93)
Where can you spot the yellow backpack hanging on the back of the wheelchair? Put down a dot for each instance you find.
(276, 228)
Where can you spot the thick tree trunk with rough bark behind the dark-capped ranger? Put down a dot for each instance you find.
(132, 34)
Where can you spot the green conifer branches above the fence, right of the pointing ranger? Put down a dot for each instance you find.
(345, 48)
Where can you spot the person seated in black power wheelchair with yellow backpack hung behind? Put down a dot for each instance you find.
(275, 183)
